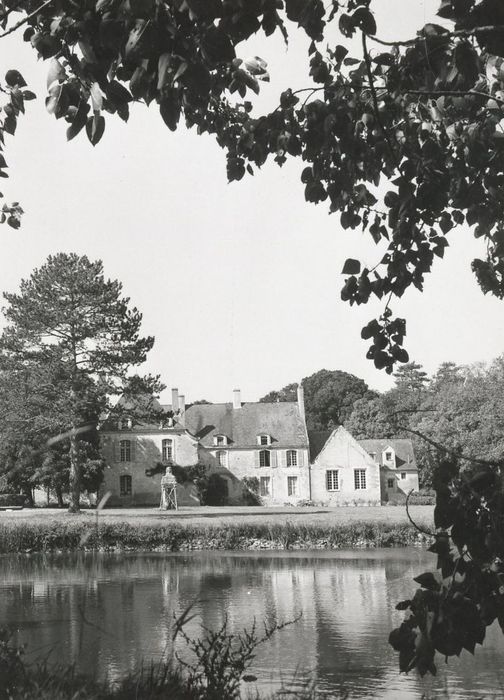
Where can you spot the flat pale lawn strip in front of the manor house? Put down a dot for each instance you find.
(206, 515)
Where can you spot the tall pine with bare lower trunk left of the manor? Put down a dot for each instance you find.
(77, 327)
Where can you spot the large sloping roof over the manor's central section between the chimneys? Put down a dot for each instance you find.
(282, 421)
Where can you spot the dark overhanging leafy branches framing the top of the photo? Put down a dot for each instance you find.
(424, 116)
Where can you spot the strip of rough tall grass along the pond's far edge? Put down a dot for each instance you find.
(70, 535)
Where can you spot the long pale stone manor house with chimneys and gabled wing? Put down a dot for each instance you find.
(264, 442)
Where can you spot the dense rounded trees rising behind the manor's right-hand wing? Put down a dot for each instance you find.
(458, 408)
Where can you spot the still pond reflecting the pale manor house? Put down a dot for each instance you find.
(108, 613)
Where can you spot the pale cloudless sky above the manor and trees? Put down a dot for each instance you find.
(239, 283)
